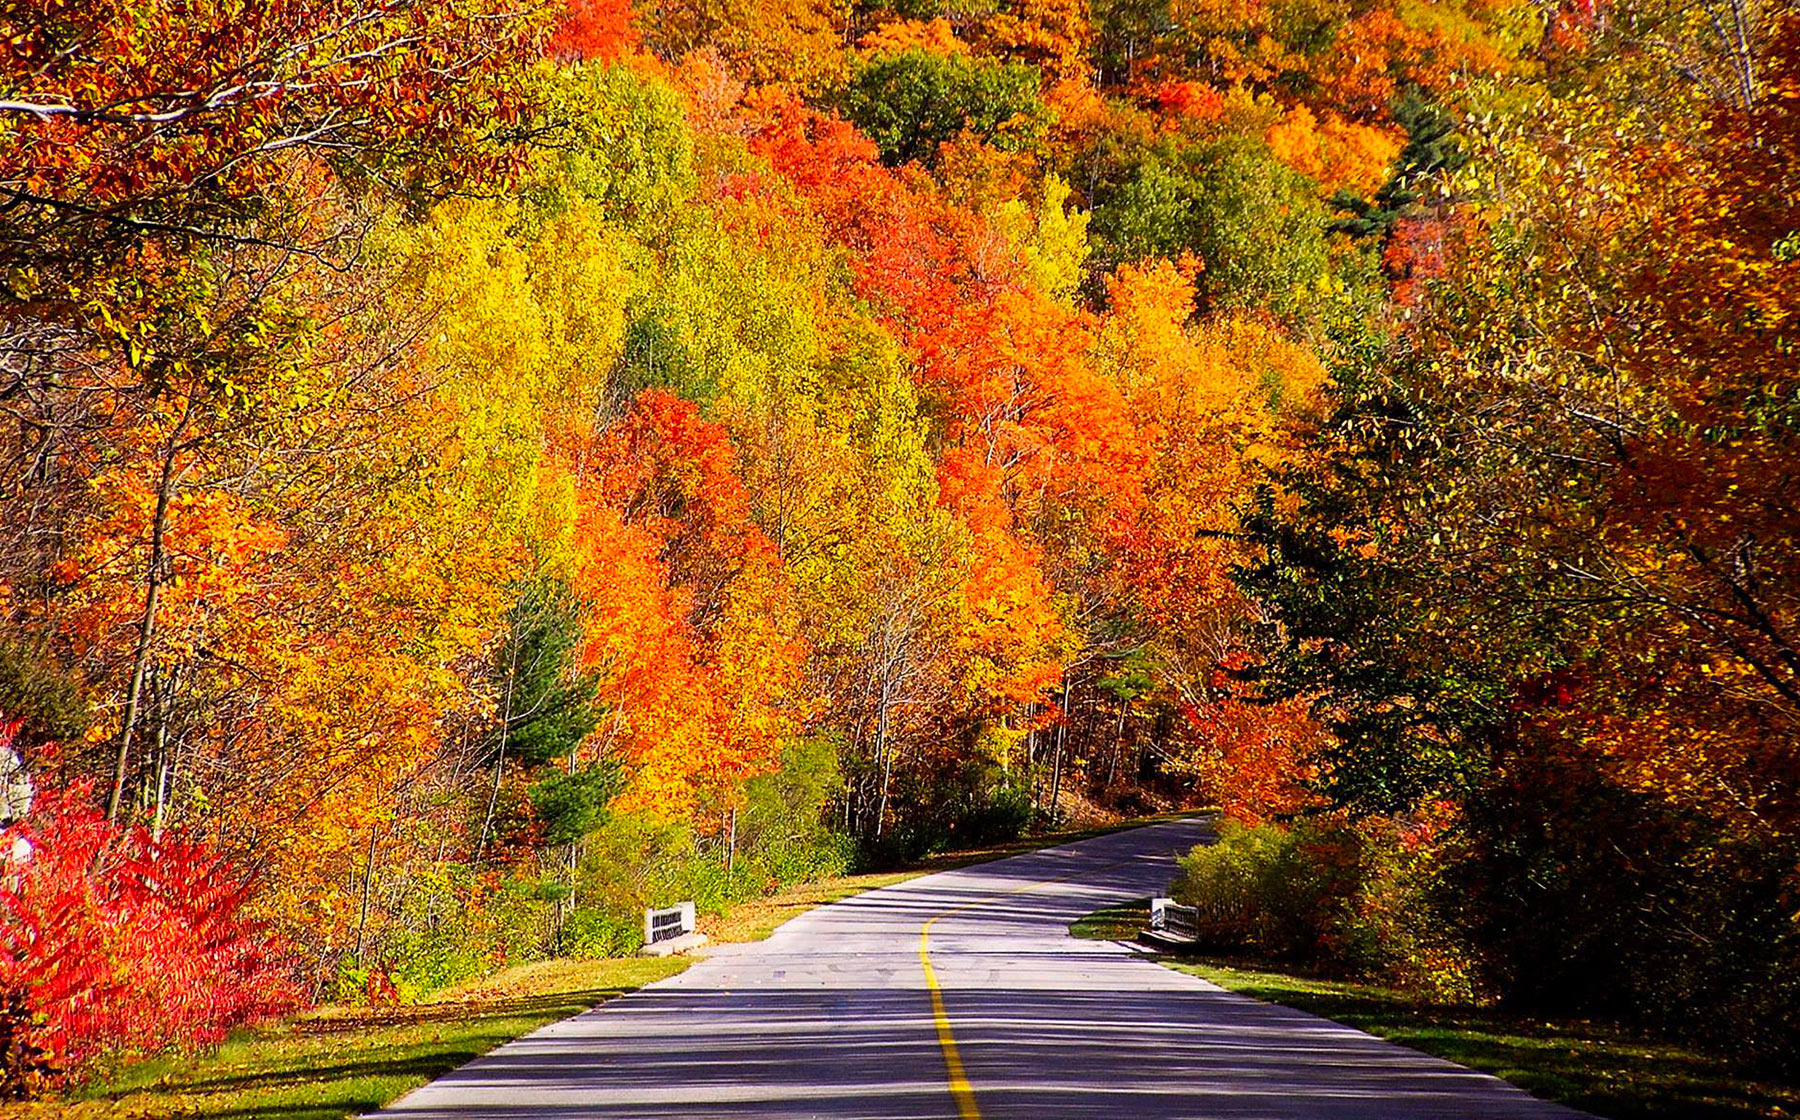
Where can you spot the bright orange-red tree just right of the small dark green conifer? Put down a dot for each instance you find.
(688, 611)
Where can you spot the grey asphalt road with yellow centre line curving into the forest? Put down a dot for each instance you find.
(854, 1011)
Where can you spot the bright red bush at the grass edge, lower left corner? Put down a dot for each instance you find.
(121, 941)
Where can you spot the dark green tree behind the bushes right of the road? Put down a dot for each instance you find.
(1412, 703)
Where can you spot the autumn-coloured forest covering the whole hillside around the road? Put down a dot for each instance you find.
(471, 471)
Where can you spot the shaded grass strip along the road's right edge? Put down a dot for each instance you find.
(1592, 1067)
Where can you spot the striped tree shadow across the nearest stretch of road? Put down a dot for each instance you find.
(1030, 1054)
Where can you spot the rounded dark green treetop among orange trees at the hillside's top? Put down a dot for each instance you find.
(912, 102)
